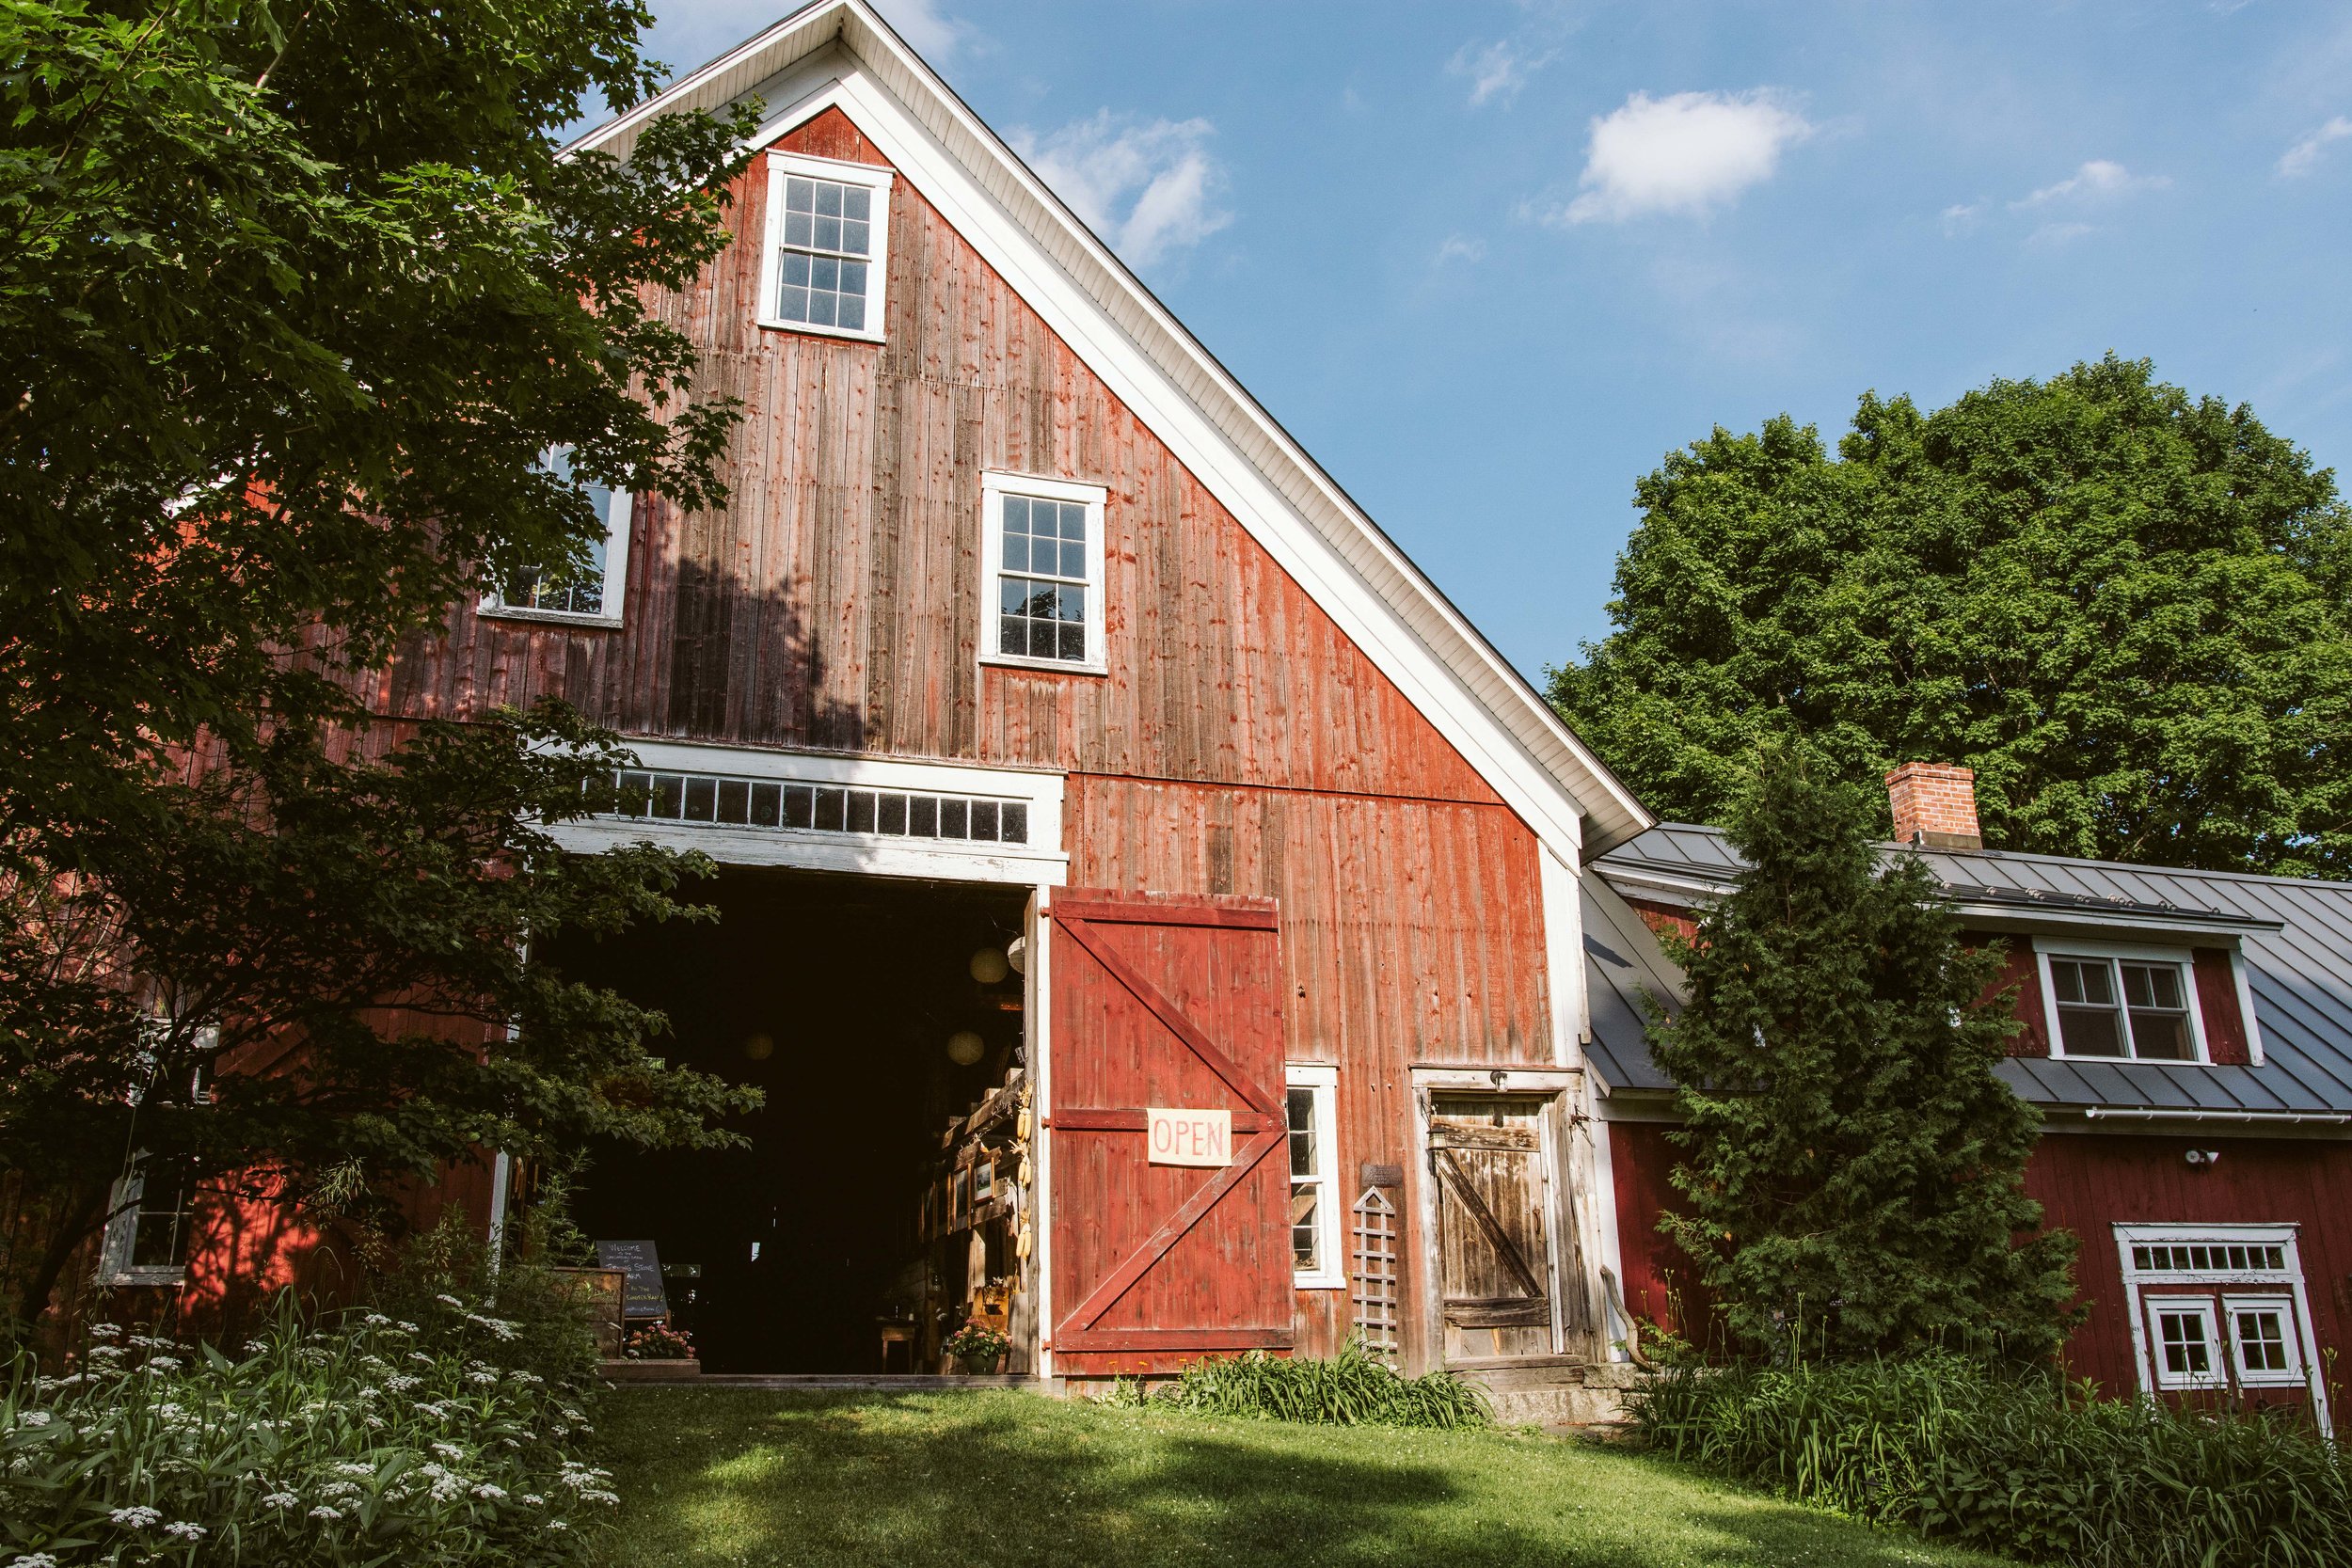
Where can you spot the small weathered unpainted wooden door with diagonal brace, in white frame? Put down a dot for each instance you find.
(1495, 1240)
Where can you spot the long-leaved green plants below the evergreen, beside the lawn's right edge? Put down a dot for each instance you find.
(2017, 1463)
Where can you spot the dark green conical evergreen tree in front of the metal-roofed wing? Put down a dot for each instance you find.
(1850, 1160)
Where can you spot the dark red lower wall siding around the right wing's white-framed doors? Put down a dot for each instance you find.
(2092, 1181)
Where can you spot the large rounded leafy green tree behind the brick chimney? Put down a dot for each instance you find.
(2130, 610)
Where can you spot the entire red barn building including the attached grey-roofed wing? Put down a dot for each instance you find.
(1158, 920)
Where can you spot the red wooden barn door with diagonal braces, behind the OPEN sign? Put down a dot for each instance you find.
(1165, 1005)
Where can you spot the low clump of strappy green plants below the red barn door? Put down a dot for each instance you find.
(1349, 1391)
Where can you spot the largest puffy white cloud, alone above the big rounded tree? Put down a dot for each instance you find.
(1681, 154)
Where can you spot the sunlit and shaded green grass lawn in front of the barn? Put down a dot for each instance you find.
(1001, 1477)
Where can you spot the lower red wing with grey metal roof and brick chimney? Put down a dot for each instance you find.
(2189, 1040)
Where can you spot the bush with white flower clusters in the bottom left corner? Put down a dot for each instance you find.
(377, 1440)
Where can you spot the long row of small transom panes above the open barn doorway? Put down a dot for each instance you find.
(780, 803)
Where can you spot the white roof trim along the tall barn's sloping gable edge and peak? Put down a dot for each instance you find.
(1236, 448)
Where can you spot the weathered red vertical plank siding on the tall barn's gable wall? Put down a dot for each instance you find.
(1238, 744)
